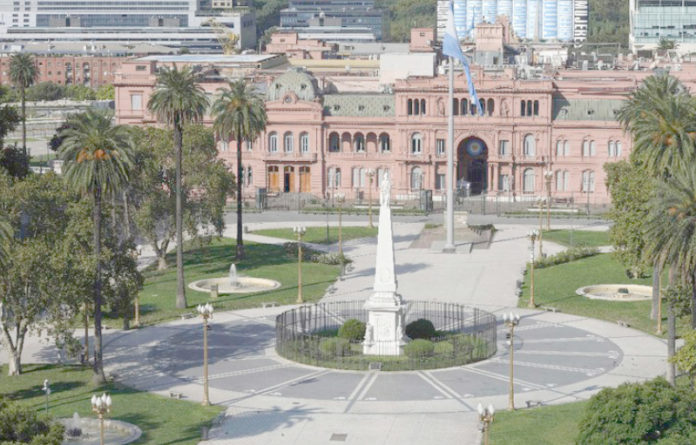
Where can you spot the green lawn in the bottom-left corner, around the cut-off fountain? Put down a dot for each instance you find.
(162, 420)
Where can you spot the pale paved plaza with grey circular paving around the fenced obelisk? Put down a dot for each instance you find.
(559, 358)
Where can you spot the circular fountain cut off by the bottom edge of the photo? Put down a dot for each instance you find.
(85, 431)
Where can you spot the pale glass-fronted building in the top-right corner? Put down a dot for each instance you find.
(653, 20)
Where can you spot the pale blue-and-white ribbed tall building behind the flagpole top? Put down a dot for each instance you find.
(562, 20)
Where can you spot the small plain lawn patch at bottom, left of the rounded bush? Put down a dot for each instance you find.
(546, 425)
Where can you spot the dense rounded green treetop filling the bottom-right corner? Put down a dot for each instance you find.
(639, 413)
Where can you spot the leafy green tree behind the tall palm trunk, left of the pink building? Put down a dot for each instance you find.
(207, 183)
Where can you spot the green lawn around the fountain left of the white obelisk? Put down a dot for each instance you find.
(157, 299)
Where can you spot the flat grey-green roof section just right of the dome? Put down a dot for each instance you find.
(359, 105)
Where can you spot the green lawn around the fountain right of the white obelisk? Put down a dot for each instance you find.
(555, 286)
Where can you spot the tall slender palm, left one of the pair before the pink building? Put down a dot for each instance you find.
(178, 99)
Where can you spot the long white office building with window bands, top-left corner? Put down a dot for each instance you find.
(177, 22)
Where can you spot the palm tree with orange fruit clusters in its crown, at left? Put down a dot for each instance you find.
(98, 159)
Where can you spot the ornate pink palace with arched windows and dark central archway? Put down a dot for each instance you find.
(557, 131)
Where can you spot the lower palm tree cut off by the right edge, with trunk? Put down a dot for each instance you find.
(671, 229)
